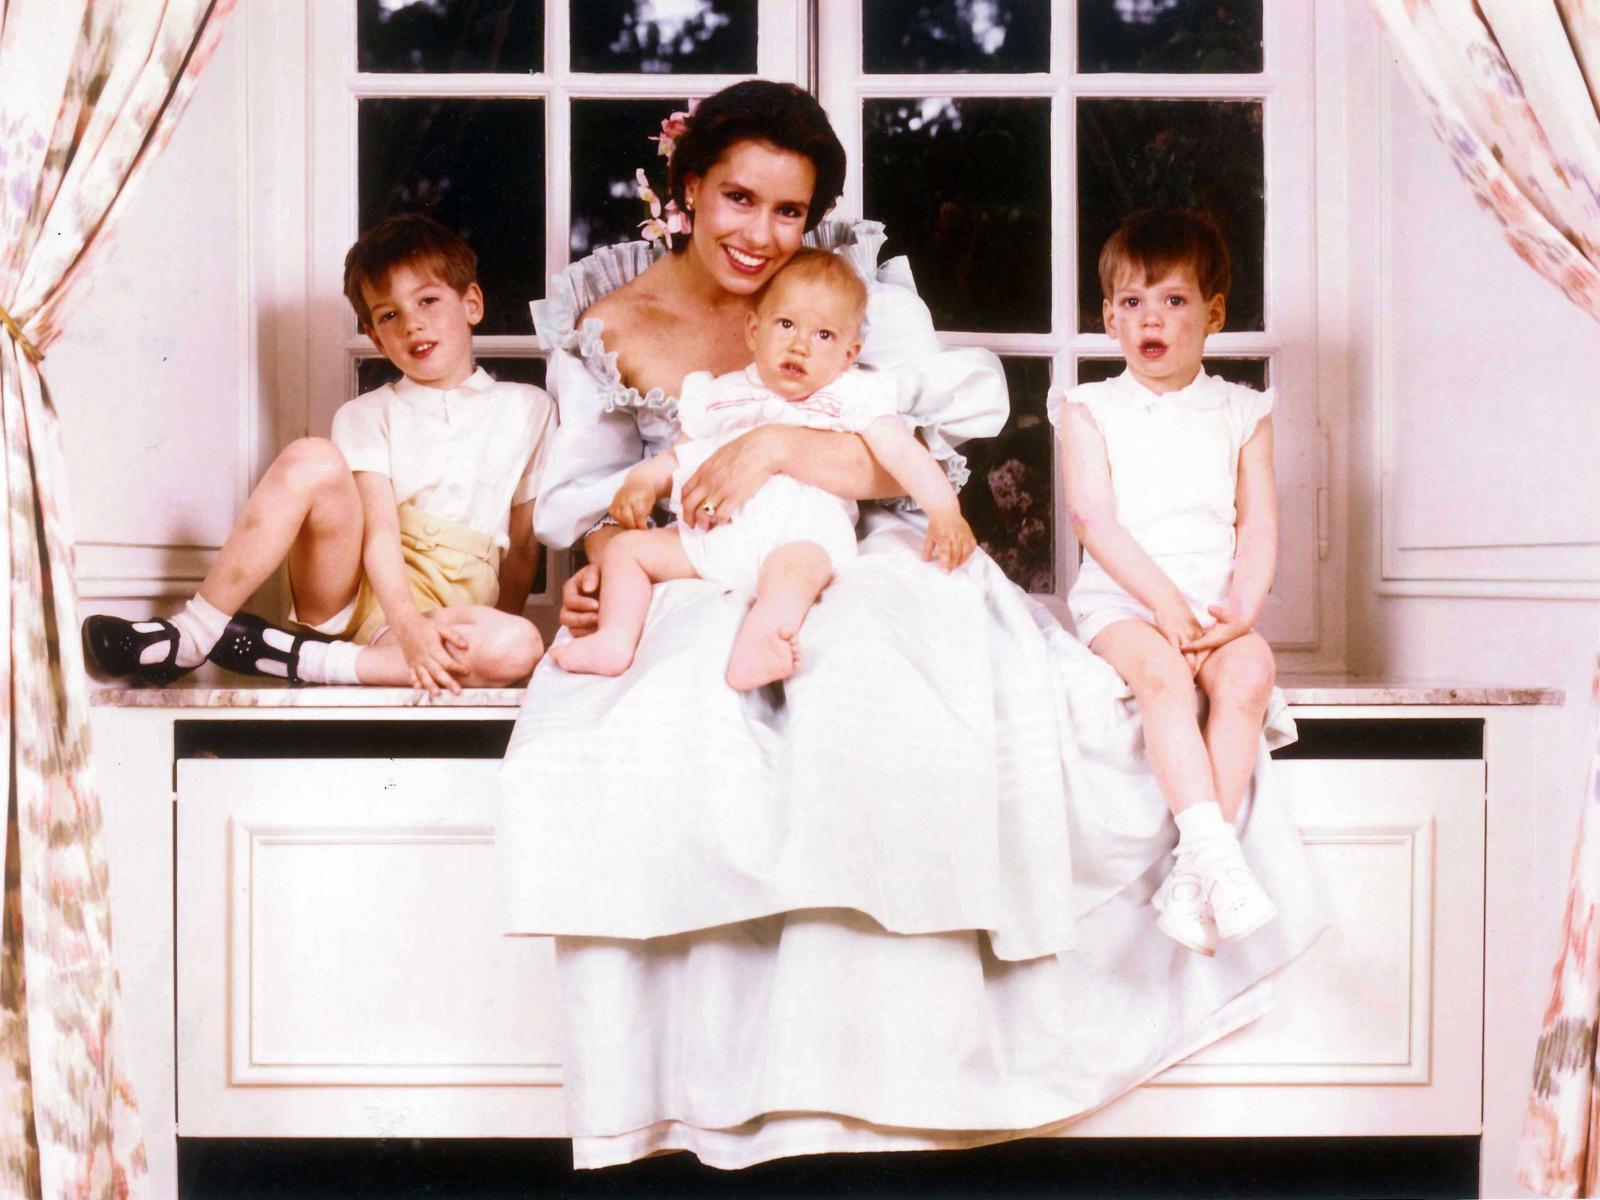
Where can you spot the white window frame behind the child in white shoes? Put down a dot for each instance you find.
(1289, 340)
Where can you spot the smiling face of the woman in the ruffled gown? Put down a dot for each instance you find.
(750, 214)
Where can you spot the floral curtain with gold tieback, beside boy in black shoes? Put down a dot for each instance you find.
(89, 94)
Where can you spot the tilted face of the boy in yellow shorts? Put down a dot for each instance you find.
(423, 326)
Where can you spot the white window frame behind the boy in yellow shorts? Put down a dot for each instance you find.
(337, 89)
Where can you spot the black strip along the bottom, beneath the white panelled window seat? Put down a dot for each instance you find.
(500, 1170)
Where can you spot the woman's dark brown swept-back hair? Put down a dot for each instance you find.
(766, 113)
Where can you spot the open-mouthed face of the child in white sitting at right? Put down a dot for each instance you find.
(1162, 326)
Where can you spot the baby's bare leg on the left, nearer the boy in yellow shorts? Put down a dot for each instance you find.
(630, 566)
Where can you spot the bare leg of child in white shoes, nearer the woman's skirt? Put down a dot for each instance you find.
(1169, 708)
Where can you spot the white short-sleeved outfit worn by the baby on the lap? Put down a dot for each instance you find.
(714, 412)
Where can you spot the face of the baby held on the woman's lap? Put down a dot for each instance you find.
(804, 335)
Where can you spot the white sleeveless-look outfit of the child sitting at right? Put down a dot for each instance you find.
(1174, 471)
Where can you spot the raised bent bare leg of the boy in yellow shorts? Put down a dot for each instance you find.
(306, 513)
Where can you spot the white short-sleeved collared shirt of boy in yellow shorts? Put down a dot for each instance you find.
(465, 454)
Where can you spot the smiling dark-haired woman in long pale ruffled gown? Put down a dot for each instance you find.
(905, 903)
